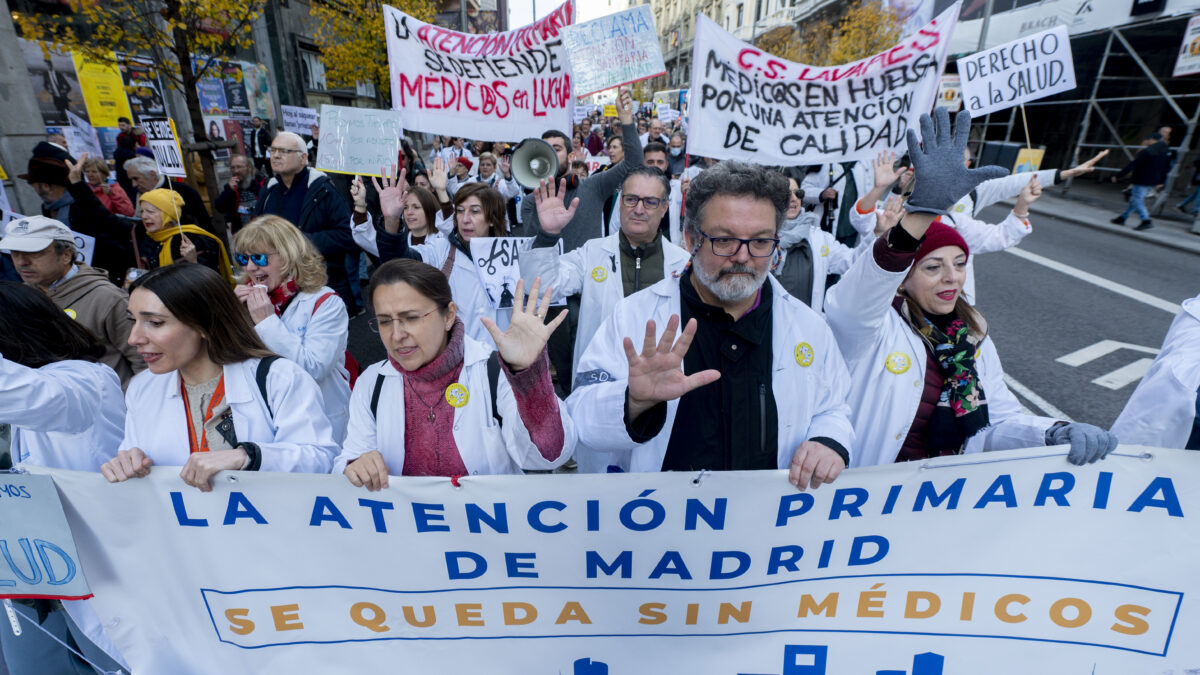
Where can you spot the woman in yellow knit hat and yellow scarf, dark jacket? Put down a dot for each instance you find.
(167, 241)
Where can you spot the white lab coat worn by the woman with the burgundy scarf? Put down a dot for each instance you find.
(487, 446)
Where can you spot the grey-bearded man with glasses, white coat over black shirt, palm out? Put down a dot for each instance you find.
(755, 380)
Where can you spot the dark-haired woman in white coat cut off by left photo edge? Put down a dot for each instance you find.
(67, 411)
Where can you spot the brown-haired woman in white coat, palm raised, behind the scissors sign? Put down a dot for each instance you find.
(479, 212)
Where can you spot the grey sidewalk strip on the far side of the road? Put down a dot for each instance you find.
(1095, 205)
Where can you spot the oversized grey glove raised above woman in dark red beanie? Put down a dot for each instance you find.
(943, 177)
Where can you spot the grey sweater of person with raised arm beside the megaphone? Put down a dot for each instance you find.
(592, 192)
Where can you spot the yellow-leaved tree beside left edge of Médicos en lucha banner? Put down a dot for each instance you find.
(351, 37)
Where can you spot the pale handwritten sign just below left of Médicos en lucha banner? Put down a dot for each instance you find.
(361, 141)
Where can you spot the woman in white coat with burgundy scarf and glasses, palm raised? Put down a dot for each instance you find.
(439, 405)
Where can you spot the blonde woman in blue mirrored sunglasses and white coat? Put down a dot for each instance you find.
(283, 286)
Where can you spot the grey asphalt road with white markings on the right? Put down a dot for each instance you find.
(1039, 315)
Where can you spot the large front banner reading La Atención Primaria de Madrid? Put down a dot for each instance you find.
(1009, 563)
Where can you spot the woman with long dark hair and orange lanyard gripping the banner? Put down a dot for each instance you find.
(213, 397)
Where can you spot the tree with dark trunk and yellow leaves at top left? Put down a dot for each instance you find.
(181, 35)
